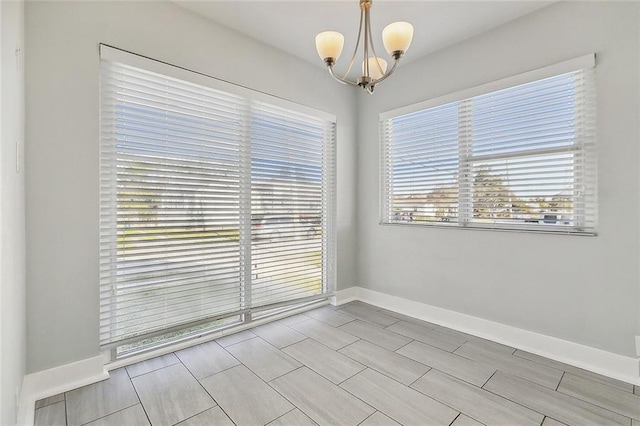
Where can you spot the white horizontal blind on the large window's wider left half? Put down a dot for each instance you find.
(170, 202)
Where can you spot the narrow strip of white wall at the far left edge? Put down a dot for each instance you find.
(12, 221)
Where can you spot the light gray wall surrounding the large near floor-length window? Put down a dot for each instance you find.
(62, 155)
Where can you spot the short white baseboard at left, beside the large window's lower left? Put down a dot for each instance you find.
(56, 380)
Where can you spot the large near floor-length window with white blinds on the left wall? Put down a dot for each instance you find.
(216, 204)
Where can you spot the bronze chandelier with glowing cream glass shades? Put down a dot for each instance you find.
(396, 38)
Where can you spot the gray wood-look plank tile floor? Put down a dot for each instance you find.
(351, 365)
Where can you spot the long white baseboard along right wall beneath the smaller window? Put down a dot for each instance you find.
(596, 360)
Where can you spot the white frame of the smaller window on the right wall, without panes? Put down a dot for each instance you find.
(466, 158)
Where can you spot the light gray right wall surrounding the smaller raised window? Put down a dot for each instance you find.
(581, 289)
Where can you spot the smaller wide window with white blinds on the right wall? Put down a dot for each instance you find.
(515, 154)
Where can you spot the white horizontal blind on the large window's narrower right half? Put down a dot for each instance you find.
(289, 203)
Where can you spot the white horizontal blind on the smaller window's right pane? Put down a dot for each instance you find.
(529, 162)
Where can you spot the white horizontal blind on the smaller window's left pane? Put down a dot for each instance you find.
(421, 165)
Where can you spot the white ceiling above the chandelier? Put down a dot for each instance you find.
(292, 25)
